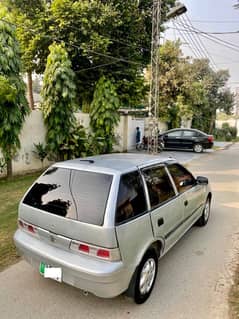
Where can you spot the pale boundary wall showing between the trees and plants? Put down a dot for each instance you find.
(34, 132)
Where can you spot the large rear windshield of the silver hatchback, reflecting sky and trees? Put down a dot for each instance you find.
(79, 195)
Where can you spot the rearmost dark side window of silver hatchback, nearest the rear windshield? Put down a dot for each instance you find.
(131, 200)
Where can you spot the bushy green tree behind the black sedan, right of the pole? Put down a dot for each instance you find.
(190, 89)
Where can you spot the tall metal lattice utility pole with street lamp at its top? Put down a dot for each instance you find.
(155, 69)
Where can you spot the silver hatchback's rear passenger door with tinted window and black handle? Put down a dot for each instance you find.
(167, 210)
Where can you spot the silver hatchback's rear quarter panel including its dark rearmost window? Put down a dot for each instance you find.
(132, 219)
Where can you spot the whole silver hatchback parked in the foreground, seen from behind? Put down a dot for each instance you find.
(101, 223)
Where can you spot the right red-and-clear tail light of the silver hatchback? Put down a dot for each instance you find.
(95, 251)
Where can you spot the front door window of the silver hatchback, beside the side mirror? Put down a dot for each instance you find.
(183, 179)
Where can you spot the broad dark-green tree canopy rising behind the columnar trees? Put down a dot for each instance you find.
(103, 38)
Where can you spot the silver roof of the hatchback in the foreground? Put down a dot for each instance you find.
(114, 163)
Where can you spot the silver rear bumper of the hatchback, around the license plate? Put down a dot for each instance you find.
(102, 278)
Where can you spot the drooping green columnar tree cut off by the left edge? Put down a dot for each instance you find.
(13, 104)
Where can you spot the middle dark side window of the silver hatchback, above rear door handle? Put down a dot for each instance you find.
(159, 185)
